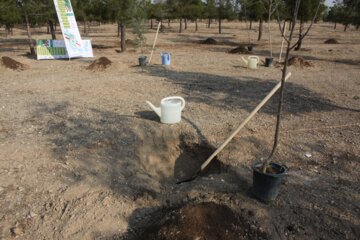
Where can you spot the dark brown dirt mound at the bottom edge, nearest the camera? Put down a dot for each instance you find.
(204, 221)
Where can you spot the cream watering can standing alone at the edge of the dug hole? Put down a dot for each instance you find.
(170, 109)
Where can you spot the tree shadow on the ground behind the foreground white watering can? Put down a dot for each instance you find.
(243, 93)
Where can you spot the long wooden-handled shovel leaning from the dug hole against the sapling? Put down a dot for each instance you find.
(261, 104)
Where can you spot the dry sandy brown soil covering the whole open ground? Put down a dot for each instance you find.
(83, 157)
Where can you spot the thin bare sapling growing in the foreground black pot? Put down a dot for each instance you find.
(289, 48)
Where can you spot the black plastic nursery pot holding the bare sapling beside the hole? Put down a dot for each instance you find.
(266, 185)
